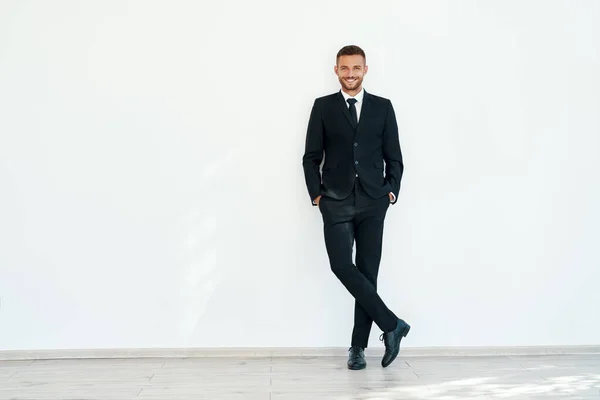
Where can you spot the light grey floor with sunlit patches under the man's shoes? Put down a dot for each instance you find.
(304, 378)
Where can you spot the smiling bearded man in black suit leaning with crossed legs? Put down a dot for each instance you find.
(356, 132)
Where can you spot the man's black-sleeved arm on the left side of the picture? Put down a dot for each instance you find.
(313, 152)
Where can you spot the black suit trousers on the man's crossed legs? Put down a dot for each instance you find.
(358, 218)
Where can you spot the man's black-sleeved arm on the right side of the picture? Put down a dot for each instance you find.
(391, 152)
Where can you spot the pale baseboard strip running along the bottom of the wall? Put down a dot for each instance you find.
(290, 352)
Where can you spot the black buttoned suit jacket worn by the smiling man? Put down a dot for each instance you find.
(352, 152)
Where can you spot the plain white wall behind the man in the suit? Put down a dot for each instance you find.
(152, 195)
